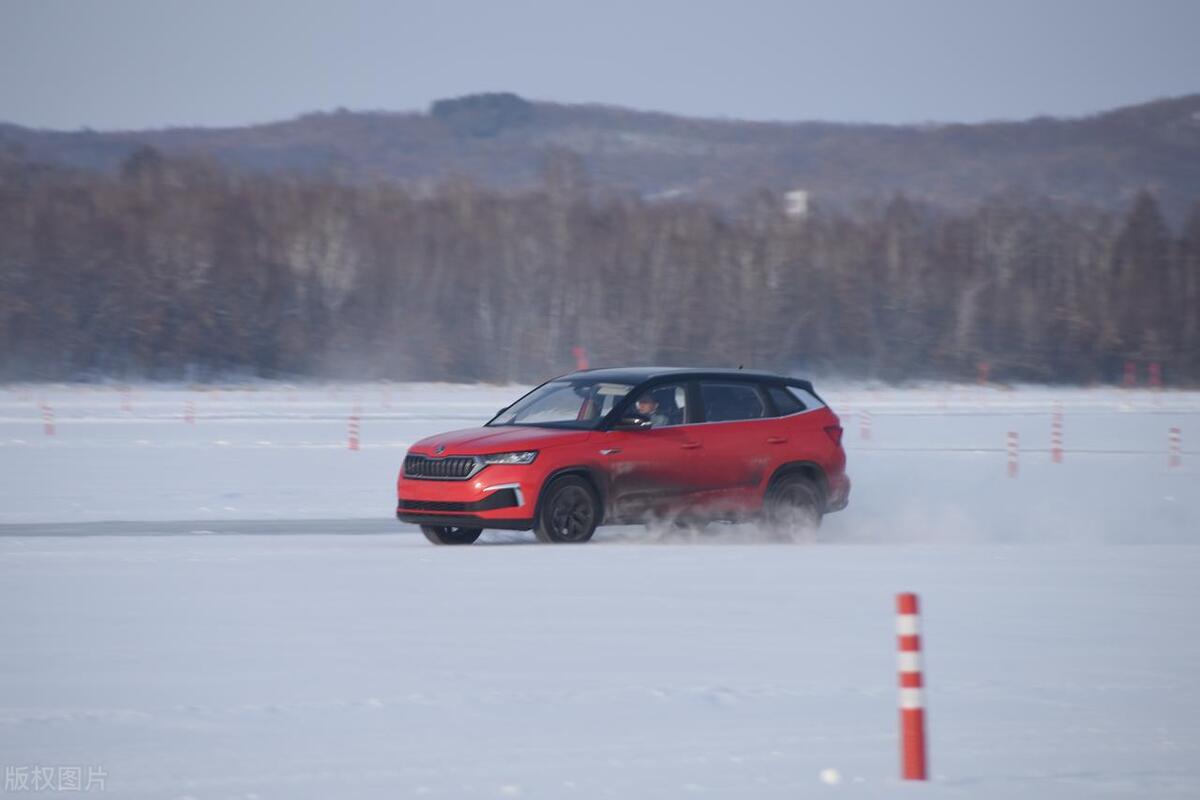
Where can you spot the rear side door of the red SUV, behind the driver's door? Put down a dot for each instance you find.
(740, 432)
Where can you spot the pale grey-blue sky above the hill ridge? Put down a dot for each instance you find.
(119, 64)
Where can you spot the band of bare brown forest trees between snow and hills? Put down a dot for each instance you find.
(181, 269)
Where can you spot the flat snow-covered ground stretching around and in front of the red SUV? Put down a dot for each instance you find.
(1063, 643)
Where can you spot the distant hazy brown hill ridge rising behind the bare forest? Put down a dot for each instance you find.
(506, 142)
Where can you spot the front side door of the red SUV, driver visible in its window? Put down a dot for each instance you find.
(658, 471)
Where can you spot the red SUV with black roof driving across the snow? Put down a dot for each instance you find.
(620, 447)
